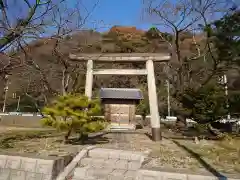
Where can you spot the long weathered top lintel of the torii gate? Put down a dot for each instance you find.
(122, 57)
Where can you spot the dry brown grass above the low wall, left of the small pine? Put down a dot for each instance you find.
(42, 142)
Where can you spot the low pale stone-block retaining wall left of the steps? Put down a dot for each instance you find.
(29, 168)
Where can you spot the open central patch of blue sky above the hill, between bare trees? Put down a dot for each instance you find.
(117, 12)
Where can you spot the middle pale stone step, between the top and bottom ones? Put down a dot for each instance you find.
(110, 163)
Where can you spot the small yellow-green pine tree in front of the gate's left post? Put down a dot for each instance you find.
(74, 113)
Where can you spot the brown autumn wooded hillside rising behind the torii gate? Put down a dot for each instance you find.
(43, 76)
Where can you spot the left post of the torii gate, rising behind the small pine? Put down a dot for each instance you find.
(89, 79)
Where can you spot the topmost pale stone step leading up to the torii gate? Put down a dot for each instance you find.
(116, 154)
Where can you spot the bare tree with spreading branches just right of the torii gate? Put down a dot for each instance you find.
(184, 16)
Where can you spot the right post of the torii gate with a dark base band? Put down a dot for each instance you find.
(152, 94)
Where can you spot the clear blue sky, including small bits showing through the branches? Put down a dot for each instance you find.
(110, 12)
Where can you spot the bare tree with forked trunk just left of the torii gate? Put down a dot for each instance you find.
(66, 21)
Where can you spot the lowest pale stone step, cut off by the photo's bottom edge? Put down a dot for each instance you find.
(103, 173)
